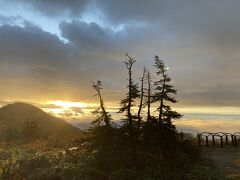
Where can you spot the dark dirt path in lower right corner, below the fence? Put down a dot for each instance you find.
(226, 159)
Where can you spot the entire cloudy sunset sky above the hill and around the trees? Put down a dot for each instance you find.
(51, 51)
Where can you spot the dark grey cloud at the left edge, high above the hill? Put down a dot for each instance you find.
(31, 46)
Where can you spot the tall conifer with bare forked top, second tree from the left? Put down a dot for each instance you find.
(133, 93)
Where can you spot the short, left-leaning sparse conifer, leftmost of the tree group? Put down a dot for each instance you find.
(102, 114)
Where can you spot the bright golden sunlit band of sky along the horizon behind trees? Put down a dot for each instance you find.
(195, 119)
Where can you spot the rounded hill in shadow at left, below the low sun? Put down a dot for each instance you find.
(25, 122)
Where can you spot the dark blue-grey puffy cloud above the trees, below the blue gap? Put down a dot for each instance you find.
(94, 39)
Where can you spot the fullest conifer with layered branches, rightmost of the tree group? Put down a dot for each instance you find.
(163, 94)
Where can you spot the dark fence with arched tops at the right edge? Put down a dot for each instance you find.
(218, 138)
